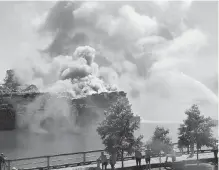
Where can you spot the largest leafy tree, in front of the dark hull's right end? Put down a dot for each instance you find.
(118, 127)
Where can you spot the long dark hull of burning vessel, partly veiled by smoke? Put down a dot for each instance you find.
(84, 110)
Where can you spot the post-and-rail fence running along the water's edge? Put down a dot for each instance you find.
(64, 160)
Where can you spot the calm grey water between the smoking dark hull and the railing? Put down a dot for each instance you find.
(18, 144)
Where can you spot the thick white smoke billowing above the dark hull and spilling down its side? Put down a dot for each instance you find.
(70, 77)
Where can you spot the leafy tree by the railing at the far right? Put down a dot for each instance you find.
(197, 130)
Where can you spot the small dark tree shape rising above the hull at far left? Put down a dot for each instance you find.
(11, 81)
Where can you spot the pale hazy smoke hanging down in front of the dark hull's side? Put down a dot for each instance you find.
(48, 114)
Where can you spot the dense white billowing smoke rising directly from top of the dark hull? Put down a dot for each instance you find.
(77, 75)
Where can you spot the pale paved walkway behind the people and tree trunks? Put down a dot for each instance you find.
(153, 160)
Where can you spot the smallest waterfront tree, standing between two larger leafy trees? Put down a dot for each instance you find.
(160, 141)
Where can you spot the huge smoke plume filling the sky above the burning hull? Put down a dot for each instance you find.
(160, 53)
